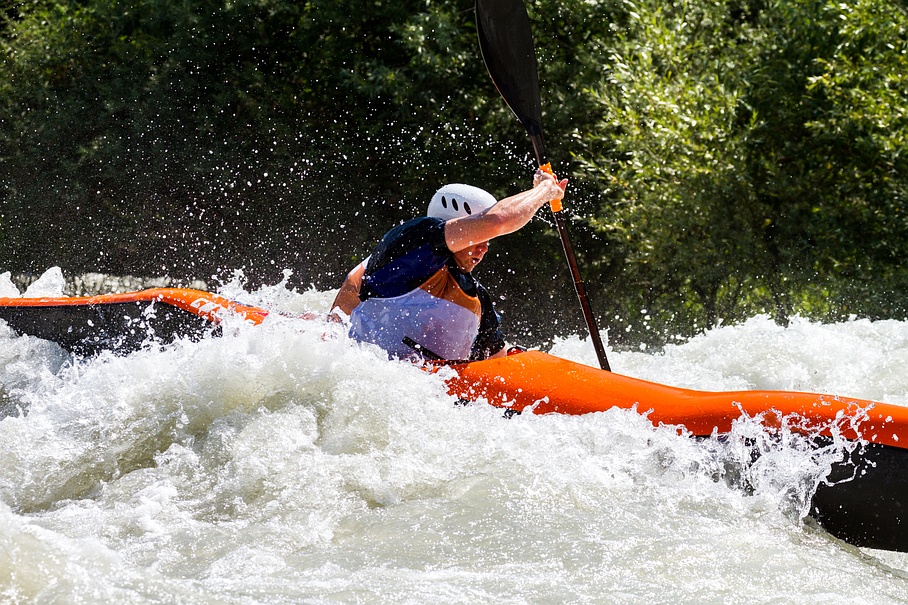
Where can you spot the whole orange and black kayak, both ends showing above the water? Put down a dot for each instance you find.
(864, 499)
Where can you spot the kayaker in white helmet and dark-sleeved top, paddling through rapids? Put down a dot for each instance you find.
(416, 293)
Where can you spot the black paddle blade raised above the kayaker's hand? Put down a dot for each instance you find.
(507, 48)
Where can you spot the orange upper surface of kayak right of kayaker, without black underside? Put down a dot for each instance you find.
(537, 382)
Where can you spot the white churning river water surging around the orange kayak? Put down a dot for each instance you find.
(283, 464)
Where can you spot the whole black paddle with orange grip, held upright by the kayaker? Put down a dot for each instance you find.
(506, 43)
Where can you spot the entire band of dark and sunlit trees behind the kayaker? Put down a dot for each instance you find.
(727, 158)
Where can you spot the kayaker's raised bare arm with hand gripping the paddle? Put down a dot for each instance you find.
(507, 216)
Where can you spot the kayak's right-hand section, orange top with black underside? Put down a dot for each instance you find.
(864, 499)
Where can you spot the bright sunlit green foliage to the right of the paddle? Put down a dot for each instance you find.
(755, 154)
